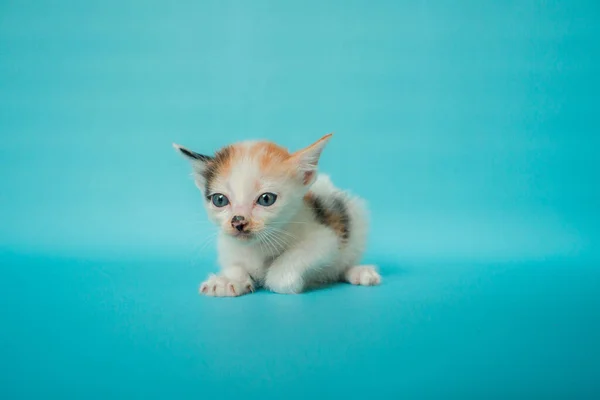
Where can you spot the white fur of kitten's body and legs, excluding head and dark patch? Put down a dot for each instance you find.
(306, 254)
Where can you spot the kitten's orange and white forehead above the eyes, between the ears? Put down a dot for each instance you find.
(243, 165)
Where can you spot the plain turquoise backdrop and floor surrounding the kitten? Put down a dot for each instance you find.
(471, 127)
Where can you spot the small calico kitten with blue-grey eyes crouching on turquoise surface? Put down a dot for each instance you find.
(282, 226)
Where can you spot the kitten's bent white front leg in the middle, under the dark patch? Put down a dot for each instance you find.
(288, 271)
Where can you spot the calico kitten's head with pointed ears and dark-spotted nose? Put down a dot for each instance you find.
(251, 188)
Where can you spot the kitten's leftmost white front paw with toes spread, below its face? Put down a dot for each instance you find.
(233, 281)
